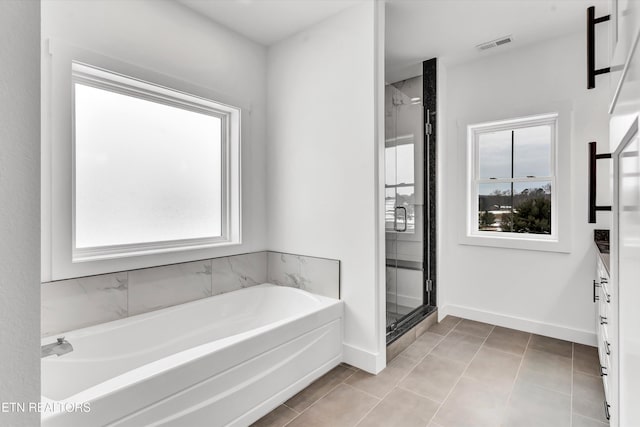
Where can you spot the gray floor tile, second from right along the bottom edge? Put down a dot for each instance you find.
(533, 406)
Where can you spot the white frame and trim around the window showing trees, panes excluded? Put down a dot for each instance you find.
(558, 240)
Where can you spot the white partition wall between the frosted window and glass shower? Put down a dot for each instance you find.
(326, 92)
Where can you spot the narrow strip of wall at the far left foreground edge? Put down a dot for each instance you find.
(20, 208)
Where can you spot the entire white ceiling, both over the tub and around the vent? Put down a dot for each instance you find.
(415, 29)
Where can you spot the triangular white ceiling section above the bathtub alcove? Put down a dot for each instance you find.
(268, 21)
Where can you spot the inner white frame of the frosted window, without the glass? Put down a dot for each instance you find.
(96, 77)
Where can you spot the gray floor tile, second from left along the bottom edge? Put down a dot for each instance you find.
(342, 407)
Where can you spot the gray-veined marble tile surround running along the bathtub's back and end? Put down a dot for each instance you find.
(77, 303)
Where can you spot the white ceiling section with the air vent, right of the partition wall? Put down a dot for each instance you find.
(450, 29)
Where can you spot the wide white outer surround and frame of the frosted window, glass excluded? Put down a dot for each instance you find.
(57, 157)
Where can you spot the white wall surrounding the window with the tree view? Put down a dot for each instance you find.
(544, 292)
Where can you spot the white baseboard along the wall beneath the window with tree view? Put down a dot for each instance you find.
(528, 325)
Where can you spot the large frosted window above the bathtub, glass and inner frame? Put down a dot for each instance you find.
(152, 168)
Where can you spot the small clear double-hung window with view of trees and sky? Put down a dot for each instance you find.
(513, 178)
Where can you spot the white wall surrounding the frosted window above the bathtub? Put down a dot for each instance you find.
(170, 39)
